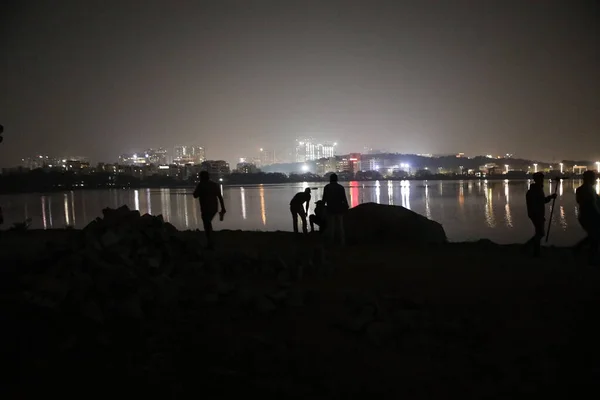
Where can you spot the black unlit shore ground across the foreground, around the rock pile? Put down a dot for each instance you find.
(463, 320)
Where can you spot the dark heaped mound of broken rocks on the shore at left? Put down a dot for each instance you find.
(121, 265)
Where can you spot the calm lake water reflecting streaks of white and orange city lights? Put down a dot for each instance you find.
(468, 210)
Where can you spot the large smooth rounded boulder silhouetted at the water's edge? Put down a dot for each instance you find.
(371, 222)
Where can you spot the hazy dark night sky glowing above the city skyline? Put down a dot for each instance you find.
(98, 78)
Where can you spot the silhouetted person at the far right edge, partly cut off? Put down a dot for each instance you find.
(589, 215)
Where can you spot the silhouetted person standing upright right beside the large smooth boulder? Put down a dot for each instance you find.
(334, 197)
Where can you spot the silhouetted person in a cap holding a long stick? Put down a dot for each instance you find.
(536, 211)
